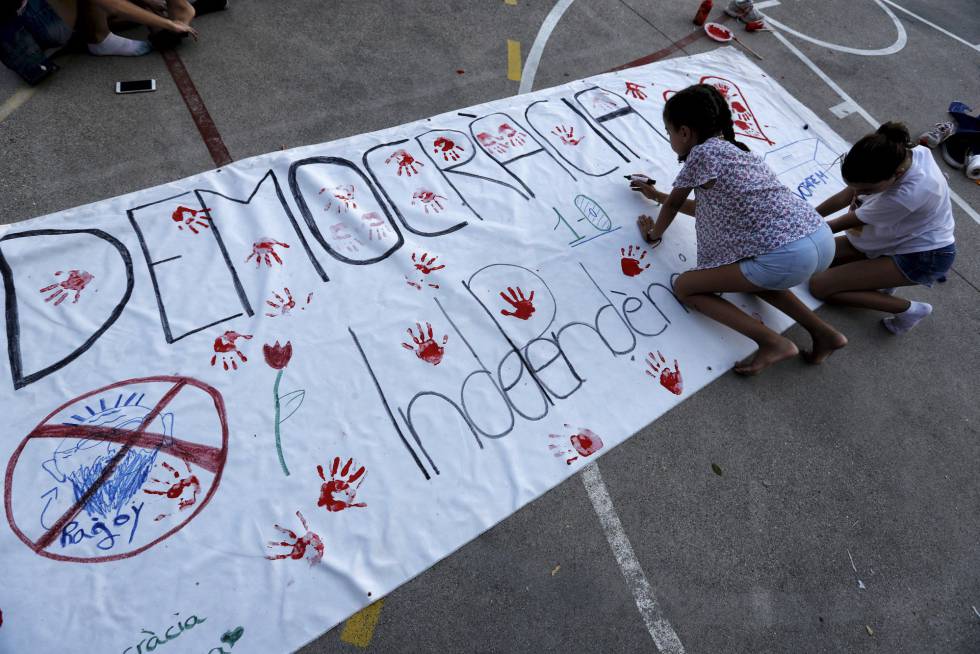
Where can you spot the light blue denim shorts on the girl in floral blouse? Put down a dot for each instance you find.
(793, 263)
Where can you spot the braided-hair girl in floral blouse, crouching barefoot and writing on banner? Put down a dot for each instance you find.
(754, 234)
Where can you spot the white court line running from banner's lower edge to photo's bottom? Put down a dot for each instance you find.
(664, 636)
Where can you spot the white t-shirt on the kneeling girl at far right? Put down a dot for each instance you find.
(914, 215)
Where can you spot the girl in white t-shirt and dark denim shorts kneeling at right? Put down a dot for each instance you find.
(899, 228)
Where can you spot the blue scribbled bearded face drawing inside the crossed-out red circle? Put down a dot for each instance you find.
(79, 462)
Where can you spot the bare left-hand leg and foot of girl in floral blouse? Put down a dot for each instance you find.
(697, 289)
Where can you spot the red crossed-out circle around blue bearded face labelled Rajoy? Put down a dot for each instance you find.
(207, 458)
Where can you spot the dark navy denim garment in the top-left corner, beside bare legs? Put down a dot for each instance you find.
(24, 38)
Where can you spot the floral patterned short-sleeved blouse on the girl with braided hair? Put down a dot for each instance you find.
(748, 211)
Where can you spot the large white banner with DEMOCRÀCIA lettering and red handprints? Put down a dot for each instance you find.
(242, 406)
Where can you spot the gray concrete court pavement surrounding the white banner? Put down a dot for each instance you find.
(871, 457)
